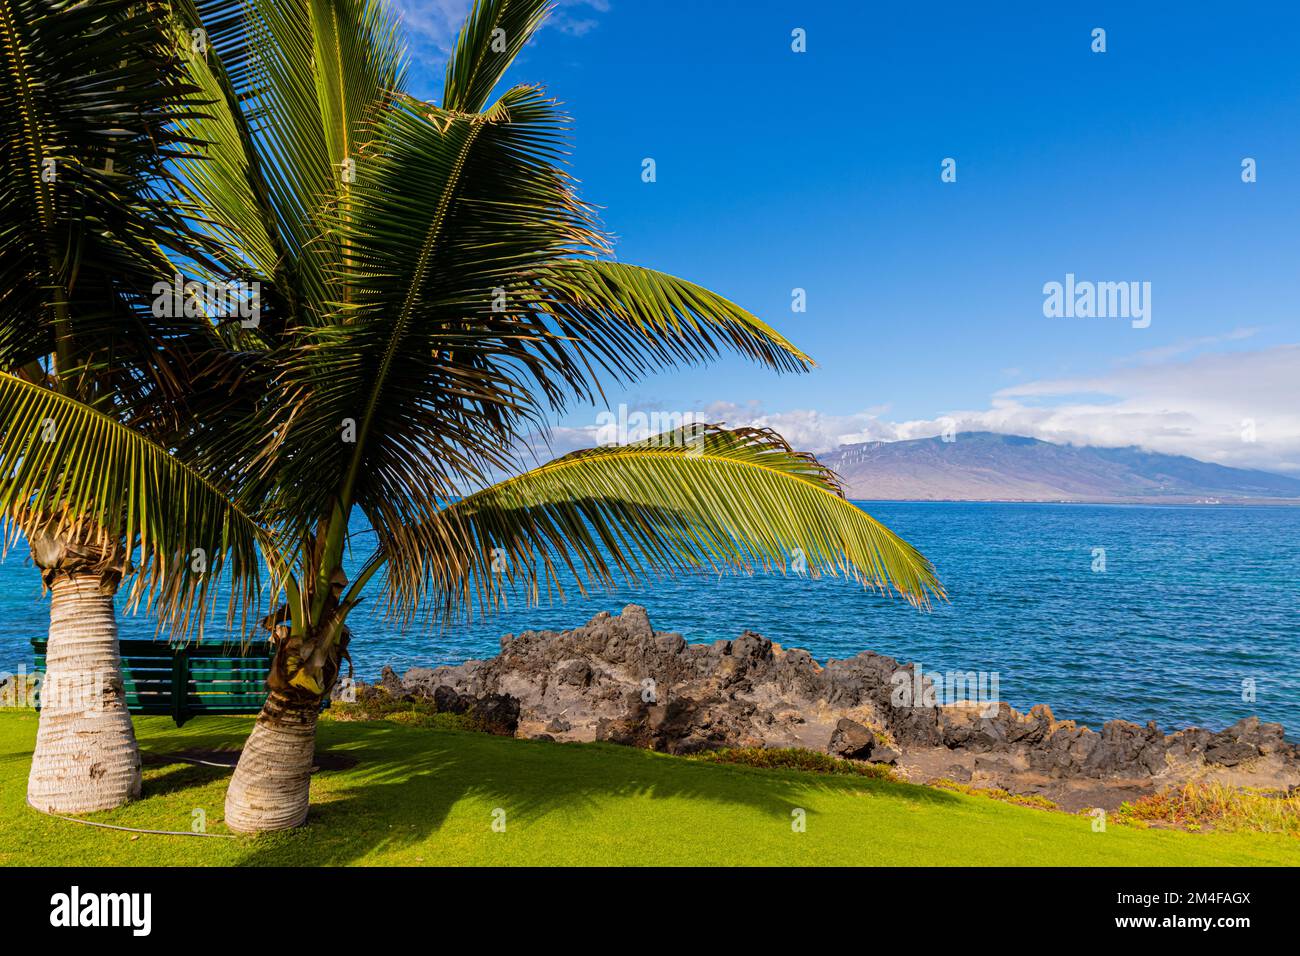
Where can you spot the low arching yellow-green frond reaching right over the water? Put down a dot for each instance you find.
(697, 498)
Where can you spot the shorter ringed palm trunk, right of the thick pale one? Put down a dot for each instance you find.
(270, 790)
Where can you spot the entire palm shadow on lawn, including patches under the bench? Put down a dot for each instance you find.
(409, 781)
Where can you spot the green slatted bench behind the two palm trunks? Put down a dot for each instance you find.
(193, 680)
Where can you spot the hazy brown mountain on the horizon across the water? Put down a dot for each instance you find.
(985, 466)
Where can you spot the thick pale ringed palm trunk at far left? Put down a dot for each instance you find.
(86, 756)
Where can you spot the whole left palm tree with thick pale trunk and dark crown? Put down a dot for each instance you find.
(90, 96)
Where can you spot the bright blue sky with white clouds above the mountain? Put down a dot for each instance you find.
(824, 171)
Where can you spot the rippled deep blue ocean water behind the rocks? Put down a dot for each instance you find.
(1195, 603)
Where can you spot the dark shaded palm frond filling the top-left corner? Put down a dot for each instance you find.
(93, 103)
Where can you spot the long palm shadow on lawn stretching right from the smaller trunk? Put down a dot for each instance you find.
(409, 781)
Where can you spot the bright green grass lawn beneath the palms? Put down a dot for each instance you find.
(422, 797)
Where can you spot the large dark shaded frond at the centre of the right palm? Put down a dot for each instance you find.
(439, 378)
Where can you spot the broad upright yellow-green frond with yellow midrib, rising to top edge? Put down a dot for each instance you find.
(311, 77)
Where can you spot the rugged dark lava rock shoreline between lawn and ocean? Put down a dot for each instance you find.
(618, 680)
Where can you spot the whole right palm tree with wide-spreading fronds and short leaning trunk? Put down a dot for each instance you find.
(436, 292)
